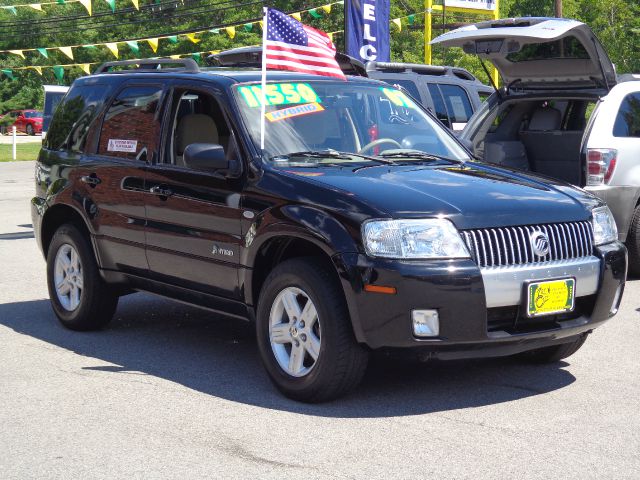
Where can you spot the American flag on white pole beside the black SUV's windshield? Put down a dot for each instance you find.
(290, 45)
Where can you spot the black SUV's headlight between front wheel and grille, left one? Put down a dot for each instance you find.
(424, 238)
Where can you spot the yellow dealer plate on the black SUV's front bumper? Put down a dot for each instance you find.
(553, 296)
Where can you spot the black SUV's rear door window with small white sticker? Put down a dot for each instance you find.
(131, 126)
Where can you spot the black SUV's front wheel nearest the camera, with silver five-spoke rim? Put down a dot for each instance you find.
(340, 362)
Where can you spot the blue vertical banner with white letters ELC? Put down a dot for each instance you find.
(368, 30)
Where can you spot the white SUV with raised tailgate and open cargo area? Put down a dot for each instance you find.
(562, 112)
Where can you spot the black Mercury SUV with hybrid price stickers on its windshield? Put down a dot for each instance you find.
(361, 223)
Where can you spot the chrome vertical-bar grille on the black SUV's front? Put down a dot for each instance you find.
(493, 247)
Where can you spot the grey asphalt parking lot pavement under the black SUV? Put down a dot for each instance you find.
(170, 391)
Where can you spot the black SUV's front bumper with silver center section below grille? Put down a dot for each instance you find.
(469, 327)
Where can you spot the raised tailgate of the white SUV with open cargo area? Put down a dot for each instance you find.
(538, 53)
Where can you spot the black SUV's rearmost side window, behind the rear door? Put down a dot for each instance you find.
(74, 116)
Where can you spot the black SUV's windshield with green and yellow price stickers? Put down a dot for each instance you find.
(322, 116)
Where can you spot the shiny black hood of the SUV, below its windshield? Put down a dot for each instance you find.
(471, 195)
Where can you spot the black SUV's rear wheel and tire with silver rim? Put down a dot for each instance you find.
(82, 301)
